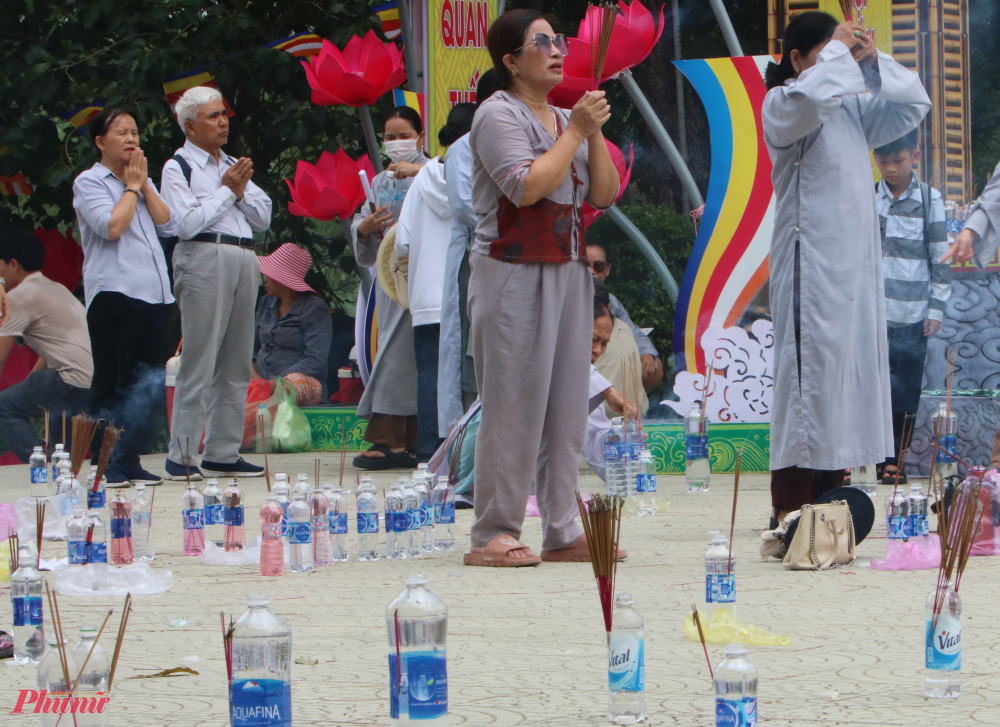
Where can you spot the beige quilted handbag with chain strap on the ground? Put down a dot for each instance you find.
(824, 538)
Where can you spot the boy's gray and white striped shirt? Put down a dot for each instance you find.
(916, 284)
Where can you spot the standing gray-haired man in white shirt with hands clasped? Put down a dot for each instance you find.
(216, 279)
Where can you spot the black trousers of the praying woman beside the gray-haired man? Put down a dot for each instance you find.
(128, 339)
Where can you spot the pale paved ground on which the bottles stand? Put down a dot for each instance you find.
(526, 646)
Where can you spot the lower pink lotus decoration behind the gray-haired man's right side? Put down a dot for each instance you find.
(329, 189)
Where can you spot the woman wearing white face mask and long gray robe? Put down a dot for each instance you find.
(390, 399)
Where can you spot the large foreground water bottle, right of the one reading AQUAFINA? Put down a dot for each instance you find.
(417, 622)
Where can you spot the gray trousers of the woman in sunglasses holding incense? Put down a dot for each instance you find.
(531, 331)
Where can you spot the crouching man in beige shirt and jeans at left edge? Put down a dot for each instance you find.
(54, 324)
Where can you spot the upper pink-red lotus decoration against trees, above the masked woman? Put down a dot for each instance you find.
(365, 70)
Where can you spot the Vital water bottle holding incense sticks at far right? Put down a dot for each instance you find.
(943, 642)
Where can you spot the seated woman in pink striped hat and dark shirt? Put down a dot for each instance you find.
(293, 330)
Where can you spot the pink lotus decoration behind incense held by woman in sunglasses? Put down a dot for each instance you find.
(632, 40)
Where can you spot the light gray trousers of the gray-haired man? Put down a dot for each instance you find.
(216, 290)
